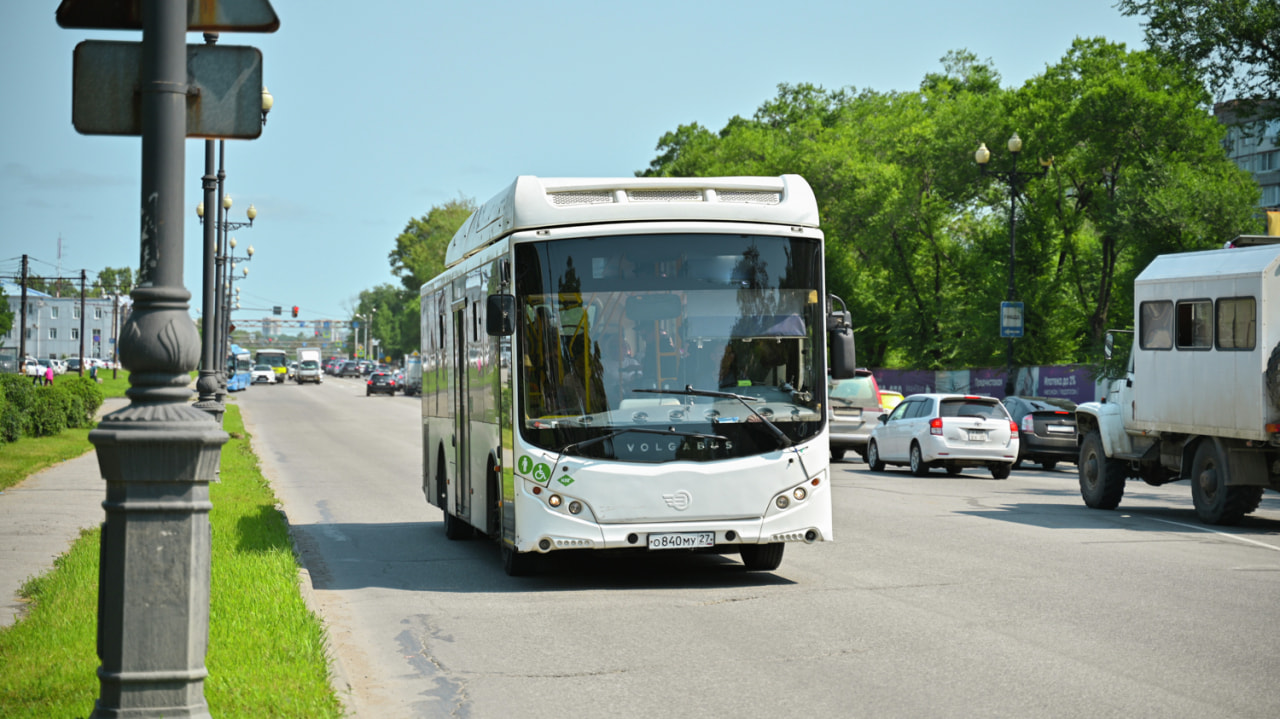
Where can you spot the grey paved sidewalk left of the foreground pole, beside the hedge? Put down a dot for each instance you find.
(42, 516)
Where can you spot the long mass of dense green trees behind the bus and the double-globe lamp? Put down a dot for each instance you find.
(920, 241)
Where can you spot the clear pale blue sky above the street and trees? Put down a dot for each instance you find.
(387, 109)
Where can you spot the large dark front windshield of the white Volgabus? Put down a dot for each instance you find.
(720, 314)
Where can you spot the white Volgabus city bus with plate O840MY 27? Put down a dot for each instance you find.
(633, 364)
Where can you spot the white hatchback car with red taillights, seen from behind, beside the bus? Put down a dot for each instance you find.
(945, 431)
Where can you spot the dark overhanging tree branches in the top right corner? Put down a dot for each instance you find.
(1233, 44)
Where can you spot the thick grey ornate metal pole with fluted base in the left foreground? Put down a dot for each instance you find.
(159, 454)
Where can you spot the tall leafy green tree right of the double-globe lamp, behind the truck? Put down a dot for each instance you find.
(1140, 171)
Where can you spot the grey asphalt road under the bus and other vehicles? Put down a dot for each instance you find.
(941, 597)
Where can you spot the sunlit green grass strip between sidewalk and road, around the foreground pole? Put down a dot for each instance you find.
(267, 651)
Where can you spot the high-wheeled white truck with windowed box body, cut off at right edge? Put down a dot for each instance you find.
(1201, 399)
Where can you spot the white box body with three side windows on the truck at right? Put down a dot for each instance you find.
(1203, 384)
